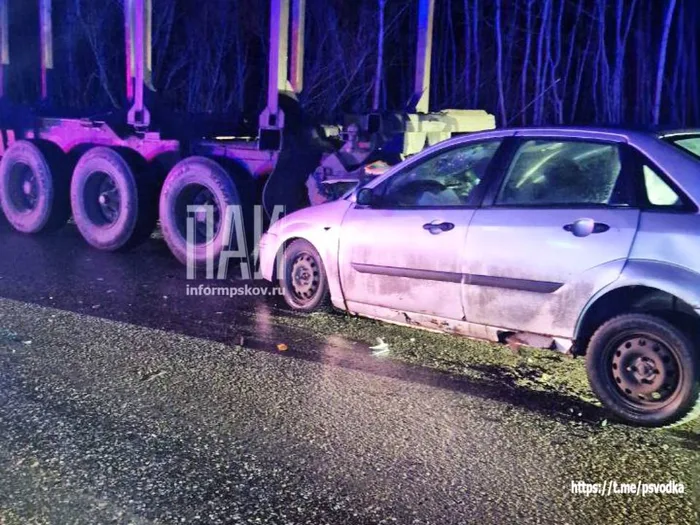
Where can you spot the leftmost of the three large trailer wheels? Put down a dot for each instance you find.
(34, 186)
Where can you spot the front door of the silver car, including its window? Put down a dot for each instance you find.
(405, 251)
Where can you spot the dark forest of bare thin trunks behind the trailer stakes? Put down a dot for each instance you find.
(529, 62)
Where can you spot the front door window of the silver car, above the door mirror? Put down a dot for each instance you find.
(445, 179)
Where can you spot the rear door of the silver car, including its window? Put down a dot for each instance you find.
(557, 228)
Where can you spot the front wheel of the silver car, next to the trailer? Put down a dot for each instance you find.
(304, 282)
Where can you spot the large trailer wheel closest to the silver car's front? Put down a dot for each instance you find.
(197, 181)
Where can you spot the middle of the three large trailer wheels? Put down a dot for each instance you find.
(113, 199)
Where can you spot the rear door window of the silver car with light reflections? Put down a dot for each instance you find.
(567, 172)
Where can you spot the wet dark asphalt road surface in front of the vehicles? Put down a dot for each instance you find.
(122, 400)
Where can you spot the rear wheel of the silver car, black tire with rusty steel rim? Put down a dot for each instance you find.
(645, 370)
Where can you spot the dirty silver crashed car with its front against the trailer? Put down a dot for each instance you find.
(580, 240)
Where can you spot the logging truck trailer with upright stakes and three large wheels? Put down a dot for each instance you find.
(118, 176)
